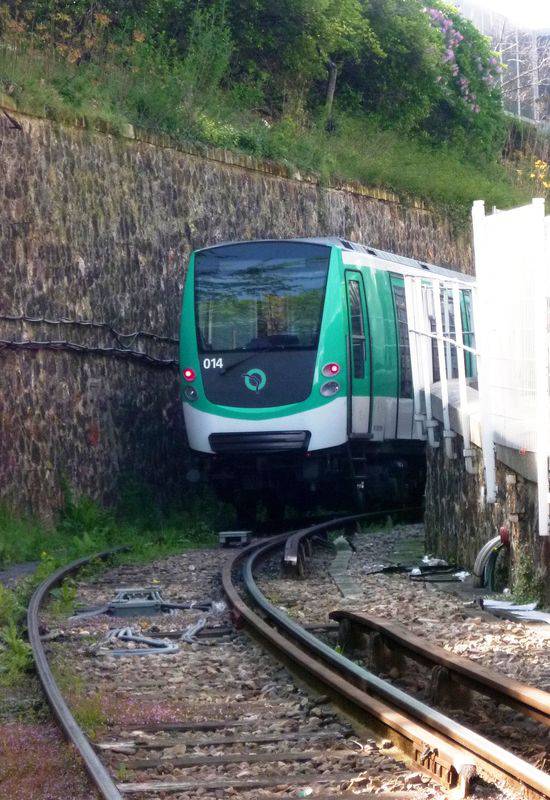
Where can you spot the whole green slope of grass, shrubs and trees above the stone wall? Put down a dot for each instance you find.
(280, 79)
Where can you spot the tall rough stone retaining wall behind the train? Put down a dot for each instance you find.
(99, 228)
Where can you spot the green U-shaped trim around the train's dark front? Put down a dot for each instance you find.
(332, 348)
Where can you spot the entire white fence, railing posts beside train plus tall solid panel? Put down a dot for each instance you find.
(508, 358)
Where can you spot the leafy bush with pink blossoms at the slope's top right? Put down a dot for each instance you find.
(436, 77)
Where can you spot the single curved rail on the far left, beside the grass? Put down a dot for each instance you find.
(97, 772)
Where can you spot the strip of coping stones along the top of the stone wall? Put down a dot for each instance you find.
(221, 155)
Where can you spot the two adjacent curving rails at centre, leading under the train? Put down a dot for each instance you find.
(458, 743)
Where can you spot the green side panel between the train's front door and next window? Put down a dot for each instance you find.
(383, 332)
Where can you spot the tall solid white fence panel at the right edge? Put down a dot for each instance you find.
(512, 254)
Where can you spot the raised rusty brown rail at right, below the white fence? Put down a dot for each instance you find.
(524, 698)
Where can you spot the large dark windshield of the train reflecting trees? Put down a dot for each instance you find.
(260, 296)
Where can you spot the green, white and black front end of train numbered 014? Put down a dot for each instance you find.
(263, 352)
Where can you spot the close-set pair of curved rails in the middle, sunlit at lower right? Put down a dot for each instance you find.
(443, 748)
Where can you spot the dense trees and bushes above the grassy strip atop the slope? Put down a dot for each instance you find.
(425, 67)
